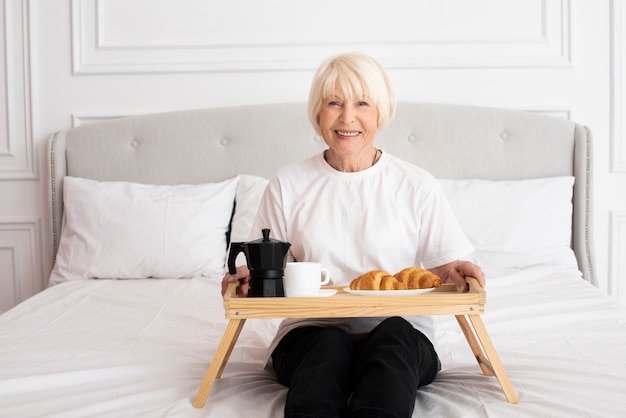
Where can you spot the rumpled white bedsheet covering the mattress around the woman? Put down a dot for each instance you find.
(141, 348)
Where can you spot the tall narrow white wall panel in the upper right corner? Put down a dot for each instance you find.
(618, 87)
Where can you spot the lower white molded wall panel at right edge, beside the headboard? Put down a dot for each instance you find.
(617, 263)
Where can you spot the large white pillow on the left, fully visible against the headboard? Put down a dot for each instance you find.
(128, 230)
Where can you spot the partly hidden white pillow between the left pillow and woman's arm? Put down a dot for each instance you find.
(249, 193)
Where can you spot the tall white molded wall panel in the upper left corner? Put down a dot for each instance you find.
(17, 150)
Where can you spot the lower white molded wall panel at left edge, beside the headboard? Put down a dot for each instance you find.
(21, 237)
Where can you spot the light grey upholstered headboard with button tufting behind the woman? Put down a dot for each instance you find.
(450, 141)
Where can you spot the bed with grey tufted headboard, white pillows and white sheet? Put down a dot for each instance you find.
(142, 209)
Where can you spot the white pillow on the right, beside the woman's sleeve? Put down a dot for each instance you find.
(518, 223)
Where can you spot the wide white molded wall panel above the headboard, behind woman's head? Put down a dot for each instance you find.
(256, 36)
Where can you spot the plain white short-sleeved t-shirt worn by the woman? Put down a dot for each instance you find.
(390, 216)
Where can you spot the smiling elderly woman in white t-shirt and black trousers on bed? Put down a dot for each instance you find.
(355, 208)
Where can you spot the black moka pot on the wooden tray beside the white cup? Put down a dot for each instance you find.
(266, 259)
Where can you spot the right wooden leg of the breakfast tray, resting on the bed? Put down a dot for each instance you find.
(489, 357)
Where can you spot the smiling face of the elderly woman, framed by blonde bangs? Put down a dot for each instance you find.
(348, 126)
